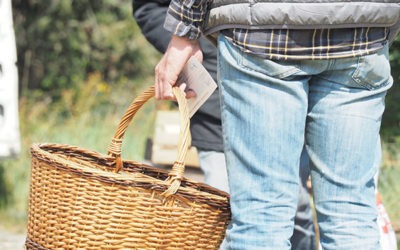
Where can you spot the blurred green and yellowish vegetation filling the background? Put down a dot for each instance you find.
(81, 63)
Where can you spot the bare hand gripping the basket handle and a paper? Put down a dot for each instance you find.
(179, 50)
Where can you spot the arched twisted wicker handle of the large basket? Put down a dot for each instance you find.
(178, 168)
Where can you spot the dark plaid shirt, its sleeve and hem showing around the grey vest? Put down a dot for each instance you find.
(185, 18)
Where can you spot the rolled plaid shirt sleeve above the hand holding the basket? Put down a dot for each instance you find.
(185, 17)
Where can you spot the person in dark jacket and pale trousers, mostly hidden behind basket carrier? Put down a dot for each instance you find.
(205, 125)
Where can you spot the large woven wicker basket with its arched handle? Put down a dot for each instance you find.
(80, 199)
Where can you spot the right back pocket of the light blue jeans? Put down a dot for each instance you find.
(373, 71)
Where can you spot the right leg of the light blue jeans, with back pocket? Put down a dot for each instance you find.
(346, 103)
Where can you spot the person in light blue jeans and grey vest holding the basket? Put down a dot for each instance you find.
(293, 73)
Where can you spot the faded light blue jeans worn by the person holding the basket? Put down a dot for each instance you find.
(269, 110)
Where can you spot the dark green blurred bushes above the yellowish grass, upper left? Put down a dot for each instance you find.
(61, 42)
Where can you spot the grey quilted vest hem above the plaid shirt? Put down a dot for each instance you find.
(302, 14)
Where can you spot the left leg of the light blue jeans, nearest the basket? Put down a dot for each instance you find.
(263, 120)
